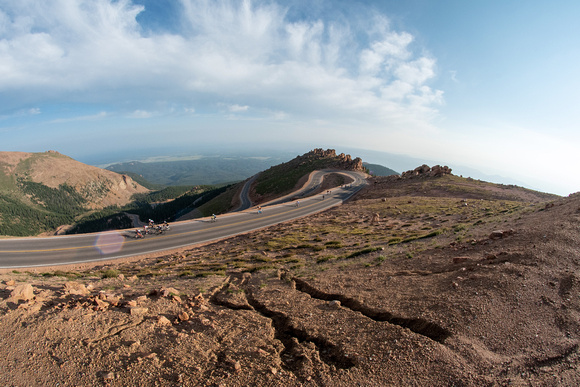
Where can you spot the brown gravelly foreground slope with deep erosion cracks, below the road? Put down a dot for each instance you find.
(427, 295)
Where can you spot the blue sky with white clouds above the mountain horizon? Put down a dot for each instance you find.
(489, 85)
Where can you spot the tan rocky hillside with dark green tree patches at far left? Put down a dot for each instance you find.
(42, 191)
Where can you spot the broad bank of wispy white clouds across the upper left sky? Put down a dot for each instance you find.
(253, 56)
